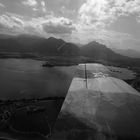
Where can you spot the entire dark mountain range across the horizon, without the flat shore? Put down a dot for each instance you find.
(58, 47)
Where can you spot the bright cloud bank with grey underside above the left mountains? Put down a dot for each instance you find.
(41, 25)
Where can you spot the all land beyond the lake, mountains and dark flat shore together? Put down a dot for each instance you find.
(57, 52)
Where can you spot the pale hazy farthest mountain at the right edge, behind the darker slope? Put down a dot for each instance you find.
(129, 52)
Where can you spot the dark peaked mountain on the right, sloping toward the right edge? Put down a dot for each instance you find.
(99, 51)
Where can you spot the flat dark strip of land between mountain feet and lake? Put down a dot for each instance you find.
(67, 60)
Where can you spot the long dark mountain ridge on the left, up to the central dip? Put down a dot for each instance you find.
(34, 44)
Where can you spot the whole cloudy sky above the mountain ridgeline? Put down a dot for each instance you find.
(115, 23)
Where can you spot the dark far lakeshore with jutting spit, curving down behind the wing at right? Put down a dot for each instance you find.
(62, 61)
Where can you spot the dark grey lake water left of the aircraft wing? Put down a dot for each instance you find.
(26, 78)
